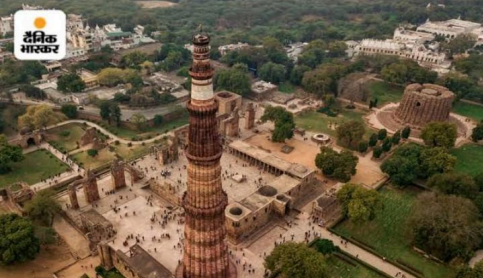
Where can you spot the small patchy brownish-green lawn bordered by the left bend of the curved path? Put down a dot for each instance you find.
(66, 137)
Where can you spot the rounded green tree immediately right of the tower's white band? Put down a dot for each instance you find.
(233, 80)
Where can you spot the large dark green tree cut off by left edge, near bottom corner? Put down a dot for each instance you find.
(18, 243)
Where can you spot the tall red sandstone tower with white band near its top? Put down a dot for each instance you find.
(204, 202)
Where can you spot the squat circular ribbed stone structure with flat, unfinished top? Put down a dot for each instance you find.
(422, 104)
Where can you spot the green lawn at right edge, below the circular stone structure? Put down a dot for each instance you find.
(469, 159)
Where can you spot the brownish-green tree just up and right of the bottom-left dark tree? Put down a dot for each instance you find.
(42, 208)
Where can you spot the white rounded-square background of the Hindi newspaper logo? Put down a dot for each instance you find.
(55, 25)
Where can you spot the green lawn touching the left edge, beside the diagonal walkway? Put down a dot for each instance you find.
(37, 165)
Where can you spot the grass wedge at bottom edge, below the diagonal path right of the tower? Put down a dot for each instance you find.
(341, 269)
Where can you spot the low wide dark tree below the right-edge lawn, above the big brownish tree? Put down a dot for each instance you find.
(454, 183)
